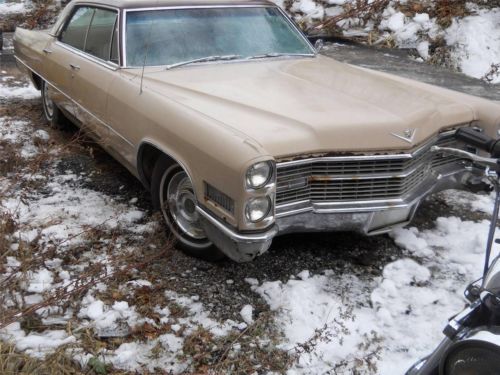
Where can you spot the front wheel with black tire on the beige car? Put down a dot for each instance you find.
(171, 185)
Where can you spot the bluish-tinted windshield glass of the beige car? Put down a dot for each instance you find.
(173, 36)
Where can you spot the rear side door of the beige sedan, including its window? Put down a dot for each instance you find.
(60, 55)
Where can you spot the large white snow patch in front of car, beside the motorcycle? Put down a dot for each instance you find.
(404, 311)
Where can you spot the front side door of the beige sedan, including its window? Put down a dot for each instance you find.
(93, 70)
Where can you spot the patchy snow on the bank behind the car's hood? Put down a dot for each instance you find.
(473, 41)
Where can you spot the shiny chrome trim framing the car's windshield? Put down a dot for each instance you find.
(124, 26)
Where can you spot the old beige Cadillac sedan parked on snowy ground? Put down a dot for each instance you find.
(239, 129)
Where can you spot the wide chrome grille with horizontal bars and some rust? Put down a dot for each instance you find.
(344, 180)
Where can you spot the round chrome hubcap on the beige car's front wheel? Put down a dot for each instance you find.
(181, 204)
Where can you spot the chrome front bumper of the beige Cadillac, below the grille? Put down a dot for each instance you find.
(369, 217)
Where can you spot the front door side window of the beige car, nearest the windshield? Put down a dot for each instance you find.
(100, 35)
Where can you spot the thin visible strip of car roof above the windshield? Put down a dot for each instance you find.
(132, 4)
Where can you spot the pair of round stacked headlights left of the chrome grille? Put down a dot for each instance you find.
(259, 178)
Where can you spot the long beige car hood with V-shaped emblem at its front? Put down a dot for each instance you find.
(312, 105)
